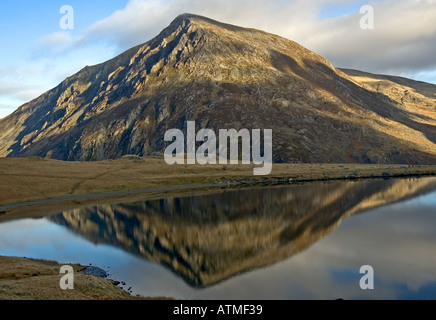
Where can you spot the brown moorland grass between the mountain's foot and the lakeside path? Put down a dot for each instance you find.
(25, 179)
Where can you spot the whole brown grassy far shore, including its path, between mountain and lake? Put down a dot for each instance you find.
(50, 186)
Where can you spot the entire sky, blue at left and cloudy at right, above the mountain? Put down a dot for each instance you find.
(38, 51)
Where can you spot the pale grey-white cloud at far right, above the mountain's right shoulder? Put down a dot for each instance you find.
(404, 38)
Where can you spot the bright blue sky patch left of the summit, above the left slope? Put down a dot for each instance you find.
(26, 69)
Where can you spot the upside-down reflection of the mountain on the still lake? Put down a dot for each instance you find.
(207, 239)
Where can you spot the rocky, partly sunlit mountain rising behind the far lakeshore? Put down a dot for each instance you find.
(223, 76)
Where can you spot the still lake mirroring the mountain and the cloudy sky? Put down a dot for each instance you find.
(305, 241)
